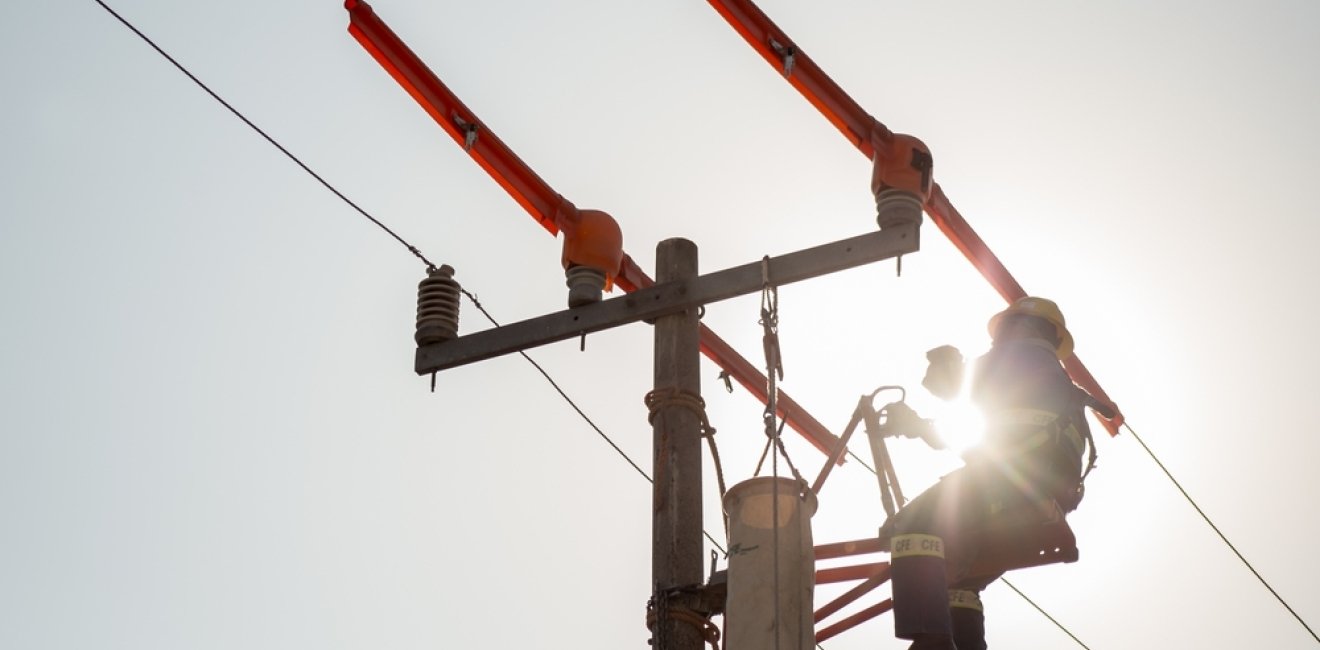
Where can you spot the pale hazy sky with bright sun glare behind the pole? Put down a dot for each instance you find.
(212, 437)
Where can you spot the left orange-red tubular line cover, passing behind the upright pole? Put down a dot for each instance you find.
(547, 207)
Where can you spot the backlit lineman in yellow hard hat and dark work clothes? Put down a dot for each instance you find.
(1033, 451)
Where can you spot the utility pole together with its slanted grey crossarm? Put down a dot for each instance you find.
(673, 305)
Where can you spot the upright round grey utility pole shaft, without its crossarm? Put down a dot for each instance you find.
(676, 528)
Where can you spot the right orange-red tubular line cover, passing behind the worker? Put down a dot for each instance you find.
(865, 133)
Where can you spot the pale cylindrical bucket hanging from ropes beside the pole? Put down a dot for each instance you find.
(770, 545)
